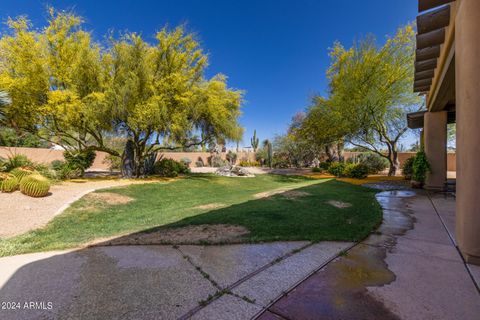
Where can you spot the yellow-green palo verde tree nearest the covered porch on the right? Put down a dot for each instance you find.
(371, 89)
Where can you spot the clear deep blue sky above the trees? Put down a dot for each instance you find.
(275, 50)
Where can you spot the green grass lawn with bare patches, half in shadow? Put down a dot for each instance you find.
(176, 204)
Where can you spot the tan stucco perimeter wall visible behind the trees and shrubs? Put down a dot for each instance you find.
(47, 155)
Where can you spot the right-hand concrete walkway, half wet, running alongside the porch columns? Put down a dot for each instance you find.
(409, 269)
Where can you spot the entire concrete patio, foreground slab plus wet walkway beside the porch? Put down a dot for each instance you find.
(408, 269)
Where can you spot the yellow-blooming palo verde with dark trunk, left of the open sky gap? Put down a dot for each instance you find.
(159, 95)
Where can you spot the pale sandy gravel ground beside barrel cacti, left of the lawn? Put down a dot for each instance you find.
(20, 213)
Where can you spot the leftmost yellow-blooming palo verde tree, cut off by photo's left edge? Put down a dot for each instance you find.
(54, 79)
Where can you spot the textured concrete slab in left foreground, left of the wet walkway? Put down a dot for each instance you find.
(158, 282)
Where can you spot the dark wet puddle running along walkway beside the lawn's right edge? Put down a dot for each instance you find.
(340, 290)
